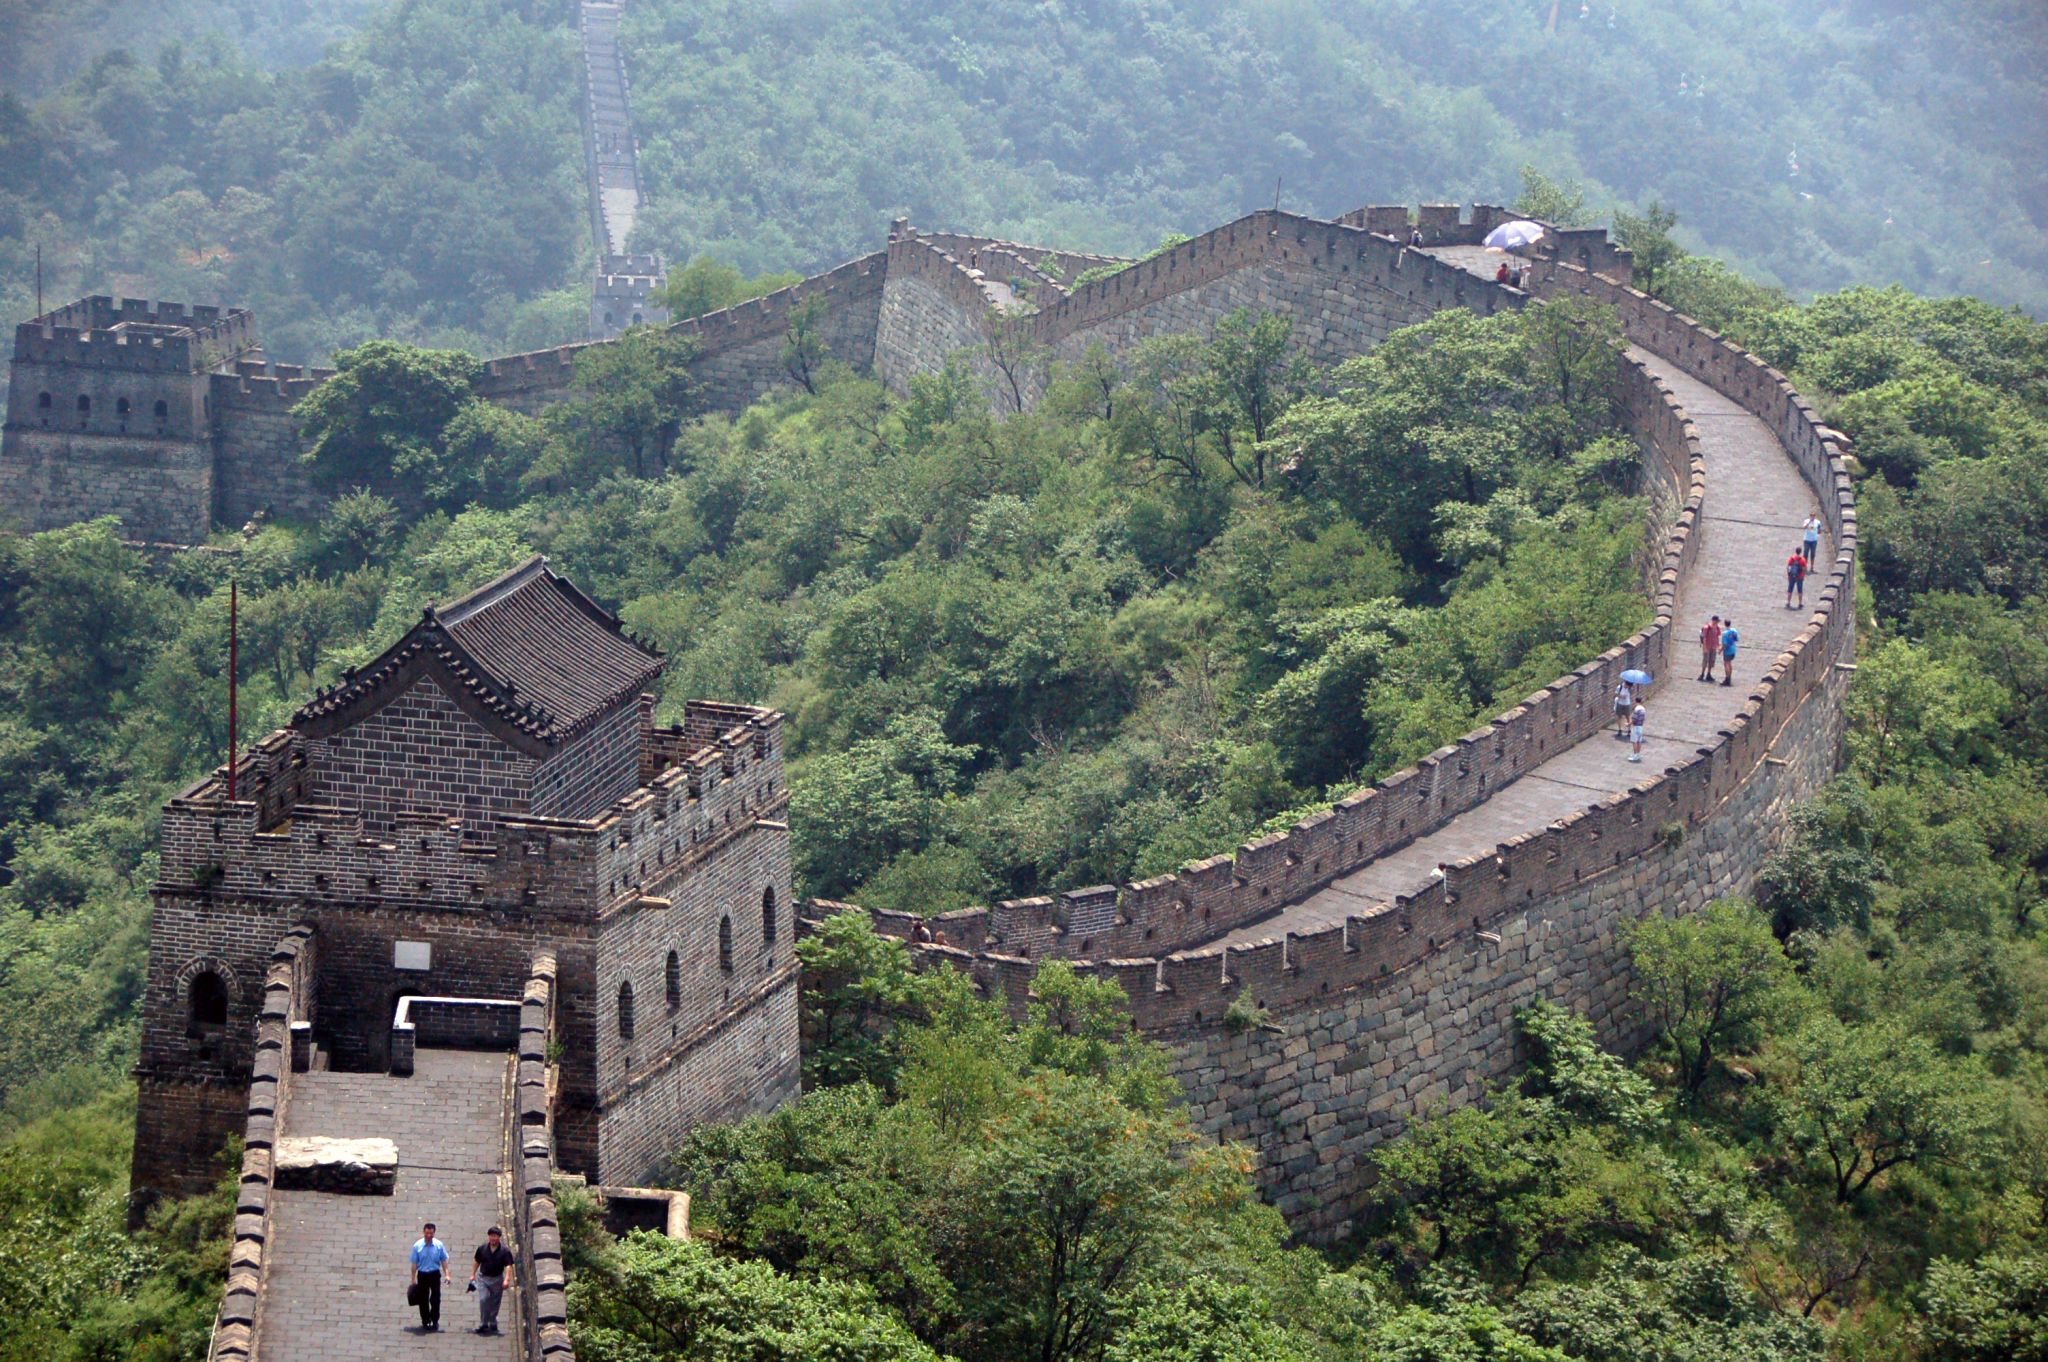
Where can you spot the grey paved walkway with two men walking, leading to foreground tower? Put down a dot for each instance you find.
(337, 1287)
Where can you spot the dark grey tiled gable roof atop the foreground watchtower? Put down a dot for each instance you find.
(529, 650)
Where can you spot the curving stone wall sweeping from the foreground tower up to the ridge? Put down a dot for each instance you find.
(1408, 1001)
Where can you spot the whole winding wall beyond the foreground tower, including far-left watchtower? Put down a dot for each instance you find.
(1404, 998)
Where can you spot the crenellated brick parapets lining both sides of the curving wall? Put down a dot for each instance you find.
(1148, 937)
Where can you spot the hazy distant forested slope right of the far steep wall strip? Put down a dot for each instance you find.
(1816, 142)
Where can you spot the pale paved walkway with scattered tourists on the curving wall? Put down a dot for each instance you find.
(1756, 503)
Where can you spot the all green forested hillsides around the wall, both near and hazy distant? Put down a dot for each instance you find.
(1170, 607)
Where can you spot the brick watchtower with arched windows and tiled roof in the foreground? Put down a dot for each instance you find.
(488, 788)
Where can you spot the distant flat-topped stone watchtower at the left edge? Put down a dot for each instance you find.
(110, 413)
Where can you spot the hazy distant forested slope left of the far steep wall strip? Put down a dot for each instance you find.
(423, 181)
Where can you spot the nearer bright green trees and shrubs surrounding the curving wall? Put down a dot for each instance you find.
(1082, 644)
